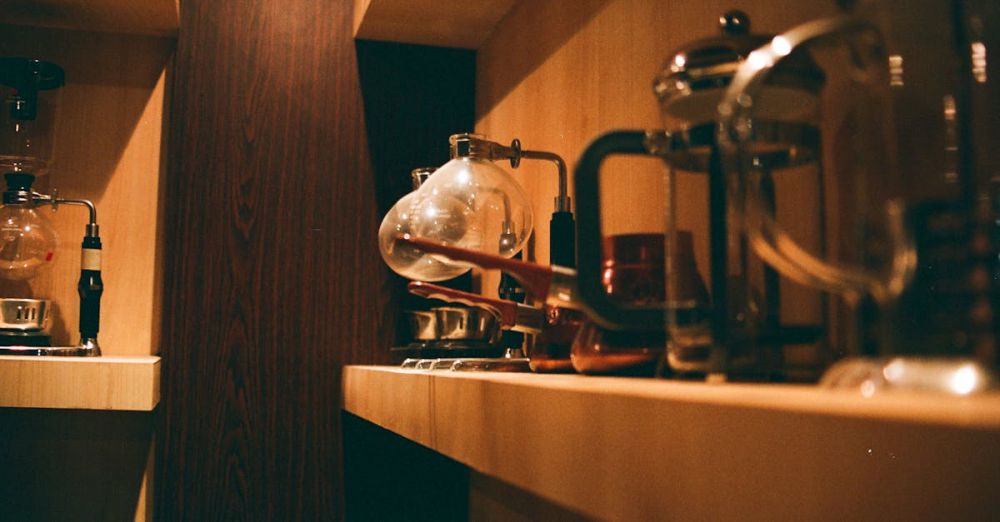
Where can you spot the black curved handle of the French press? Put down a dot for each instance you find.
(604, 310)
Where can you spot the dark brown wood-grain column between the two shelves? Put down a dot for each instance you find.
(274, 280)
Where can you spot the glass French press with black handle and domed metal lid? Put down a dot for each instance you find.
(737, 332)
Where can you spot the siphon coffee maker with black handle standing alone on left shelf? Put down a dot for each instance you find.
(29, 92)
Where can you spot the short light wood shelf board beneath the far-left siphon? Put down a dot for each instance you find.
(86, 383)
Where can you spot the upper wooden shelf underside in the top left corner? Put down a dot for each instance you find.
(151, 17)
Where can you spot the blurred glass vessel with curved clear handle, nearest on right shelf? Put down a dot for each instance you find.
(915, 153)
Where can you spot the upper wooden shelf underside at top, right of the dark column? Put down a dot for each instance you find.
(465, 24)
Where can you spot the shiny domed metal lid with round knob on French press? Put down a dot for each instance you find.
(692, 79)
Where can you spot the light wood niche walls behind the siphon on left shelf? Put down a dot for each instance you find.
(108, 149)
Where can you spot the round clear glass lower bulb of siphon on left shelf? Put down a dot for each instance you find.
(27, 242)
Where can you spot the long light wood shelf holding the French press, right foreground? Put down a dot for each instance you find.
(635, 449)
